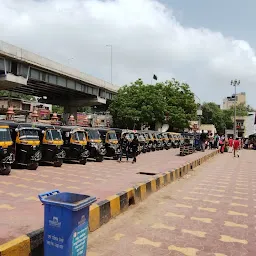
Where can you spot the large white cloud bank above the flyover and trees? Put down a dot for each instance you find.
(146, 39)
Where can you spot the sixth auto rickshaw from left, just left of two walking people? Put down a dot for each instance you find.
(110, 142)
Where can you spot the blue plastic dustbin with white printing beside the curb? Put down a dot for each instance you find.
(66, 217)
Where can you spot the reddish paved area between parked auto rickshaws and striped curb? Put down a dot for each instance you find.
(21, 212)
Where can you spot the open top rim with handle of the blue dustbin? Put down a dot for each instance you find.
(71, 201)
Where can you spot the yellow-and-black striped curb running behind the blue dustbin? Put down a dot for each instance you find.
(101, 212)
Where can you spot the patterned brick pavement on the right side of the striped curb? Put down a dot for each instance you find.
(210, 212)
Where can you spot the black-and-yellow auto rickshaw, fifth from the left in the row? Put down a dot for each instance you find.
(95, 145)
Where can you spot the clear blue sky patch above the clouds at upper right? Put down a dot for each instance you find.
(234, 18)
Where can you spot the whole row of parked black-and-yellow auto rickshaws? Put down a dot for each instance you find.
(26, 144)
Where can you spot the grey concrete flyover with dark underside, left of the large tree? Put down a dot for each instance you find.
(26, 72)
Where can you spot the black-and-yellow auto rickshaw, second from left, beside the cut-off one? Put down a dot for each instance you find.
(27, 144)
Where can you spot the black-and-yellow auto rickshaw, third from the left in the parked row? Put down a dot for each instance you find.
(51, 144)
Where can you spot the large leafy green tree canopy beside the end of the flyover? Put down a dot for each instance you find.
(143, 104)
